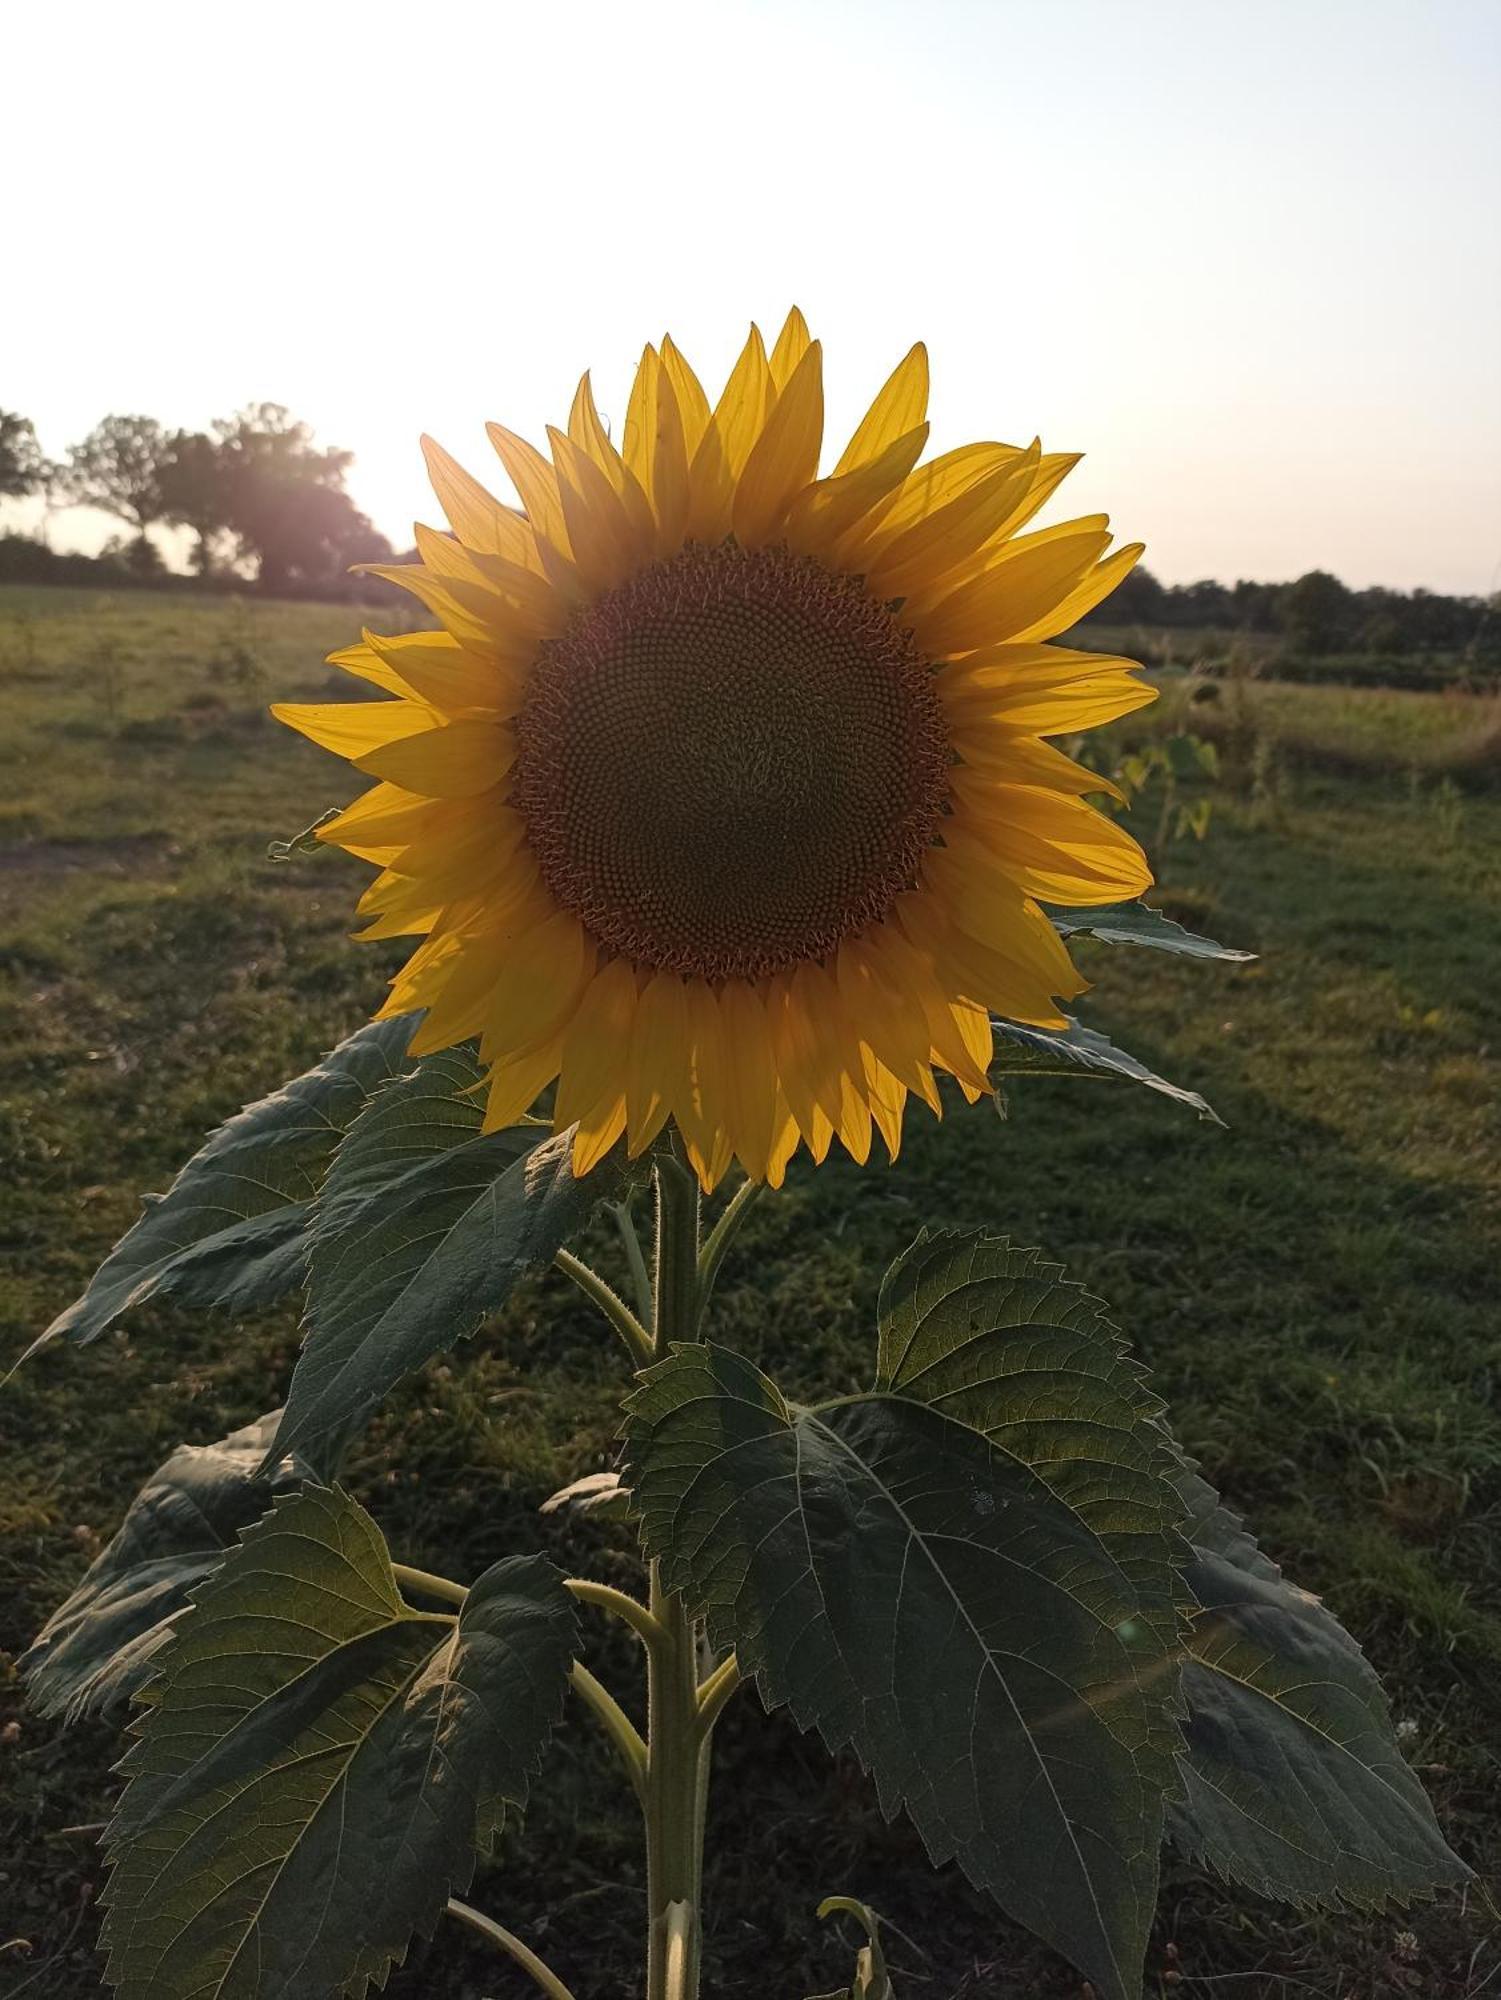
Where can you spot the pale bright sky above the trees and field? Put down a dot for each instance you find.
(1244, 257)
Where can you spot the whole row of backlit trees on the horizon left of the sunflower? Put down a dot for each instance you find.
(257, 493)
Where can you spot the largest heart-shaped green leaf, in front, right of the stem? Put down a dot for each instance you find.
(956, 1577)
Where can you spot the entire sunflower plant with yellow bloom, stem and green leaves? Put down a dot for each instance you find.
(723, 821)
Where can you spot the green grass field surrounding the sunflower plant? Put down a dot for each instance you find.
(1316, 1287)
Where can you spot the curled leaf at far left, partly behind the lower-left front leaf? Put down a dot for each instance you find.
(101, 1647)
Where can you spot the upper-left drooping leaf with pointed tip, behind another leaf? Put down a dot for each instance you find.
(231, 1227)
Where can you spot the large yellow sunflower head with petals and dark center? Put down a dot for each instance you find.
(723, 793)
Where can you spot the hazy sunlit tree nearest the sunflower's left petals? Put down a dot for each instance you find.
(287, 503)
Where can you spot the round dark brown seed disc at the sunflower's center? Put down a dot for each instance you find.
(731, 763)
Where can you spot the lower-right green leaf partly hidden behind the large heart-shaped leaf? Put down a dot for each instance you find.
(1294, 1781)
